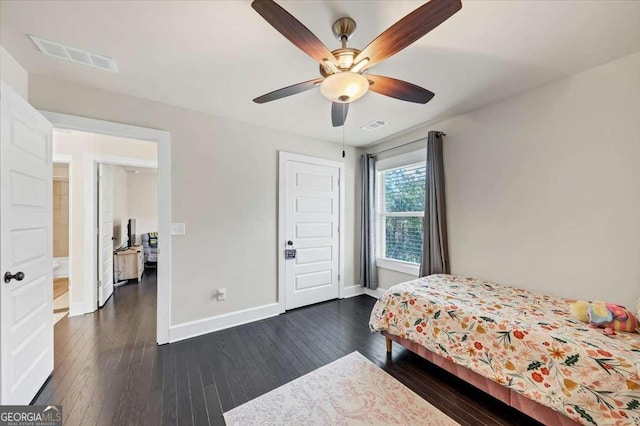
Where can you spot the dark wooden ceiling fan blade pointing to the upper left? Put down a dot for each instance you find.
(293, 30)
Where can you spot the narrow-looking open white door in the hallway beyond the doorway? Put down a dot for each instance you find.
(105, 233)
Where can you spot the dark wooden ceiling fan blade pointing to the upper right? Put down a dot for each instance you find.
(408, 30)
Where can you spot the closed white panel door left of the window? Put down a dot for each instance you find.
(312, 221)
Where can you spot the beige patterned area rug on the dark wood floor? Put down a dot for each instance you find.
(349, 391)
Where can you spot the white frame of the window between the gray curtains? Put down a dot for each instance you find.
(403, 160)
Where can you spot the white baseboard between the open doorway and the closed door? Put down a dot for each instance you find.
(220, 322)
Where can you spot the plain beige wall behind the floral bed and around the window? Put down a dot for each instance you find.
(543, 189)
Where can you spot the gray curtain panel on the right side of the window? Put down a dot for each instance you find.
(435, 253)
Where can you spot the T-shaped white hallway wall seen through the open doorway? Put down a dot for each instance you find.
(84, 149)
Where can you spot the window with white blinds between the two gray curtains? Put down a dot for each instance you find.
(400, 212)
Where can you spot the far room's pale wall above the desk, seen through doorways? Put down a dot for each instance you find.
(142, 201)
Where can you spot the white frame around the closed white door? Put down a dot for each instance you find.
(283, 157)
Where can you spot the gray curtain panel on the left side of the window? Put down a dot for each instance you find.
(368, 273)
